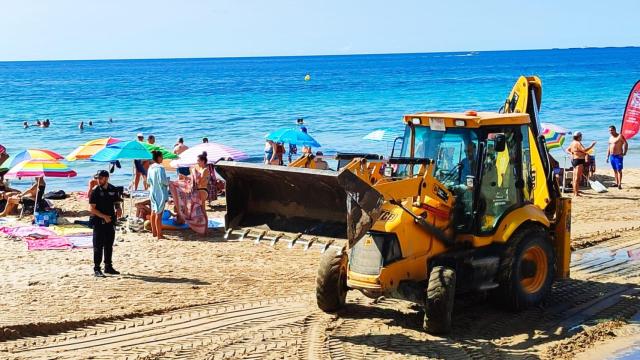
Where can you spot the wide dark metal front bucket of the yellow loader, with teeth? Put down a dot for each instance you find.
(299, 200)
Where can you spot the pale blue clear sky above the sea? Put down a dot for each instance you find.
(123, 29)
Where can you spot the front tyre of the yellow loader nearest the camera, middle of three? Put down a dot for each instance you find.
(439, 300)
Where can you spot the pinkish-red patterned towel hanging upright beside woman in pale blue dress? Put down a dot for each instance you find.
(188, 204)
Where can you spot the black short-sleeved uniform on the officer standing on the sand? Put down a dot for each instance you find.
(104, 233)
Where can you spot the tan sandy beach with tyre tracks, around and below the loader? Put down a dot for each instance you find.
(49, 295)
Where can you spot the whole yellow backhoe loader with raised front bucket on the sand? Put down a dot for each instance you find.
(468, 204)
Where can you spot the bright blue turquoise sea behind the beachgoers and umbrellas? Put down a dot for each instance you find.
(236, 101)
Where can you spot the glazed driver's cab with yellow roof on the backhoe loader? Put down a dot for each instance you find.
(482, 158)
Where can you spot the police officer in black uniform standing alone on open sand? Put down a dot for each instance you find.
(105, 203)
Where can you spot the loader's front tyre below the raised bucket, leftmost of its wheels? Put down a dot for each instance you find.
(331, 281)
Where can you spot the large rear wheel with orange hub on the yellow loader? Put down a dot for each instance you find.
(526, 270)
